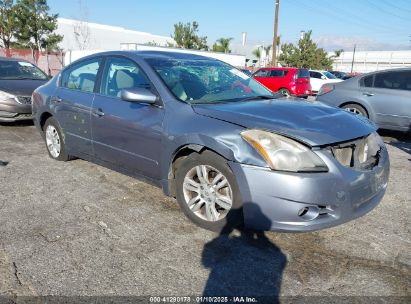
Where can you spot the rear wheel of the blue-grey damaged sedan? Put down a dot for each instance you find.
(55, 140)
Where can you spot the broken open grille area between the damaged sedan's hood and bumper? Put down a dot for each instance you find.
(362, 154)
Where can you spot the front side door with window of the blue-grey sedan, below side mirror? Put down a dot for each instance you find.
(127, 134)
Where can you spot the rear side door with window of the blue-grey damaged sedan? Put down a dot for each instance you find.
(72, 102)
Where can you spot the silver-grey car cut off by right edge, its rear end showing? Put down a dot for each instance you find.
(384, 97)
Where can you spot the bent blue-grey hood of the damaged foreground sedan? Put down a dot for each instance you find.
(315, 123)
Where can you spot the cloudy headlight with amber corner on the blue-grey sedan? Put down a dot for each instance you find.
(284, 154)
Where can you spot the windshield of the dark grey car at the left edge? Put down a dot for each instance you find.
(19, 70)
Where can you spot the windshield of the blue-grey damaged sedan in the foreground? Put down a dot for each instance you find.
(207, 81)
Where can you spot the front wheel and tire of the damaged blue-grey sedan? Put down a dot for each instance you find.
(207, 192)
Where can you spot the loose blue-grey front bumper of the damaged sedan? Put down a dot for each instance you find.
(284, 201)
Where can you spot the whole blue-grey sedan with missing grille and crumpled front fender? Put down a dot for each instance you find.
(215, 139)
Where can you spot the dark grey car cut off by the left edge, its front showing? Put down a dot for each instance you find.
(18, 80)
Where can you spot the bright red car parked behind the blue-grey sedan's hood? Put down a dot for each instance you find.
(287, 81)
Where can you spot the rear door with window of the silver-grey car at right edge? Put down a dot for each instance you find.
(389, 94)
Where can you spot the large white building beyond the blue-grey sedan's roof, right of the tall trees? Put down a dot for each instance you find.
(80, 35)
